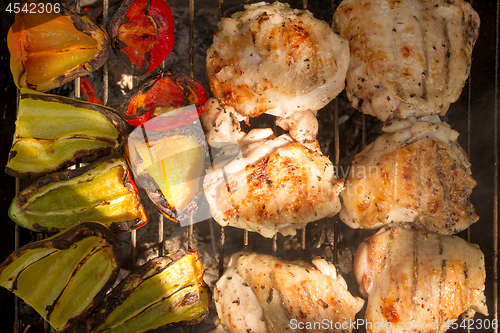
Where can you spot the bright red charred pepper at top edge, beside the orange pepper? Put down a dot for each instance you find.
(142, 33)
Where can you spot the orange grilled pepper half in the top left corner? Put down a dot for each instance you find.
(50, 49)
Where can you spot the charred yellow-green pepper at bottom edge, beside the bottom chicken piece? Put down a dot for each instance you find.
(165, 292)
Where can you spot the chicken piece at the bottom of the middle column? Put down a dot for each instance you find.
(259, 293)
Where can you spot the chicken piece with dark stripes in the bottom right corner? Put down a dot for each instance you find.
(419, 278)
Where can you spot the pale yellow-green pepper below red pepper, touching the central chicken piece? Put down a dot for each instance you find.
(170, 165)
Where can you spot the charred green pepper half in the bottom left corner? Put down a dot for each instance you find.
(64, 277)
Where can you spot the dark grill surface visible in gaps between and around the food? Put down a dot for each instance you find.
(342, 133)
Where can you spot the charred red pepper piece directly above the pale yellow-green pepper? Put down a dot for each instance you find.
(163, 93)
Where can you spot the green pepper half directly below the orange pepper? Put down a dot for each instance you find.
(55, 132)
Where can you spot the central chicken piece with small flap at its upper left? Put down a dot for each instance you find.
(268, 184)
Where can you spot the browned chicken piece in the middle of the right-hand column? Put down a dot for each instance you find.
(416, 173)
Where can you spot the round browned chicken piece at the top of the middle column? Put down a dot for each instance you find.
(274, 59)
